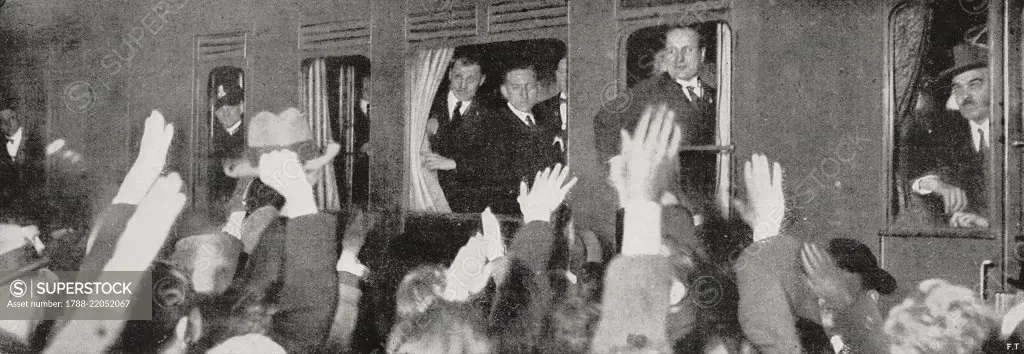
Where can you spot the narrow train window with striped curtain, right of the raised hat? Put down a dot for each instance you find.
(337, 105)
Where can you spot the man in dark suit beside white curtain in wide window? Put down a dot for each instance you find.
(452, 141)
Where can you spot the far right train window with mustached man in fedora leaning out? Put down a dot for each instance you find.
(943, 130)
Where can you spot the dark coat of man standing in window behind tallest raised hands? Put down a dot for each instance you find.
(697, 120)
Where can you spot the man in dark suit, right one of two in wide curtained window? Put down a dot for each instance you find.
(517, 146)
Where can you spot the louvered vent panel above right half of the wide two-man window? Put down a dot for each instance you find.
(520, 16)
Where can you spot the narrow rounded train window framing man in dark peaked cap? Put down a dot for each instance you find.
(227, 128)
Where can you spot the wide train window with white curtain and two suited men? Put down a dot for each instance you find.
(483, 118)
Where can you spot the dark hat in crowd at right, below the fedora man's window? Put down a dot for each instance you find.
(854, 256)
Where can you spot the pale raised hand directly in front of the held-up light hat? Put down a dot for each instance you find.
(283, 172)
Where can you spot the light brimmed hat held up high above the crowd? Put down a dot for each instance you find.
(287, 130)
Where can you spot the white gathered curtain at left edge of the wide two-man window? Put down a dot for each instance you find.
(428, 71)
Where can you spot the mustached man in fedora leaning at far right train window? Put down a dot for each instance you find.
(955, 191)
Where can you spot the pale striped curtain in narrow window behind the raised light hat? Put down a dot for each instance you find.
(319, 115)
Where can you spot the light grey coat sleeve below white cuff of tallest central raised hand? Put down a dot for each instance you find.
(633, 308)
